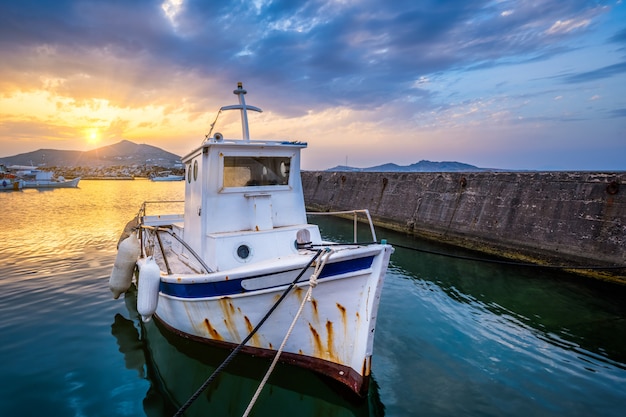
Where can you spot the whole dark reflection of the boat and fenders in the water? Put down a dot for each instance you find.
(177, 367)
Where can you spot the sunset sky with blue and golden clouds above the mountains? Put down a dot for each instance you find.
(520, 85)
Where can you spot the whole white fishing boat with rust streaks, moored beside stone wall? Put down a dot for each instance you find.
(239, 265)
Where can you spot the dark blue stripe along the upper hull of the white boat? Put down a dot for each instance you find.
(222, 288)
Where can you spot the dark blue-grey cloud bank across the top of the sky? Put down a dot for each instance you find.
(332, 53)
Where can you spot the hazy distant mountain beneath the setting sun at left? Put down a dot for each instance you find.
(124, 153)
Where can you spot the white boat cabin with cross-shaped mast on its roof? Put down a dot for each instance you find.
(243, 198)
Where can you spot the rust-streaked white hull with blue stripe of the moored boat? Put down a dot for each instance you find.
(333, 335)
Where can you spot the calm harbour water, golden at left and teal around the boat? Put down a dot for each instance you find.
(454, 337)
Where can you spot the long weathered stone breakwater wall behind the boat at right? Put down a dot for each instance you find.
(568, 218)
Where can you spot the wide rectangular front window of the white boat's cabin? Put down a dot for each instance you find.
(248, 171)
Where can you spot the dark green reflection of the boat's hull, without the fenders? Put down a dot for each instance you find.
(177, 368)
